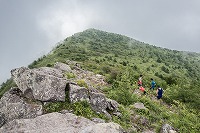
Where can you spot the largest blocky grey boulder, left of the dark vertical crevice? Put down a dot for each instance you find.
(44, 84)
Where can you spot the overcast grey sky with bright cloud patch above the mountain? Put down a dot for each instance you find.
(31, 28)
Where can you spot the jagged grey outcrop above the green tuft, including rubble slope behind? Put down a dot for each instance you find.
(47, 84)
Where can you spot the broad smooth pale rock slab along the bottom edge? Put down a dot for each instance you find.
(59, 123)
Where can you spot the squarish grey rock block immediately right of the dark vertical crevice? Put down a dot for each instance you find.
(77, 93)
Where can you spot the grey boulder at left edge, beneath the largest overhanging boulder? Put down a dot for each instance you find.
(13, 106)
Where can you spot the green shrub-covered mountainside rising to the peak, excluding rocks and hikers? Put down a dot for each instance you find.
(122, 59)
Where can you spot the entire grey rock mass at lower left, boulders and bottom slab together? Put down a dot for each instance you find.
(21, 108)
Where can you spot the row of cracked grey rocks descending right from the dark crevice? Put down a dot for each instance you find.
(98, 101)
